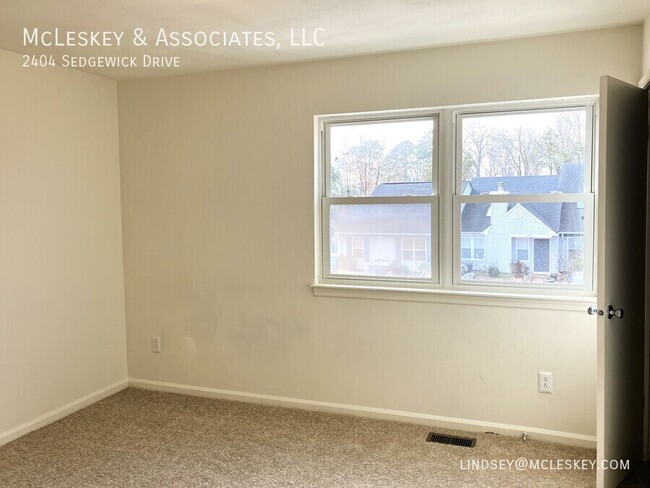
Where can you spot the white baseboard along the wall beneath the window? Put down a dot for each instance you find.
(558, 437)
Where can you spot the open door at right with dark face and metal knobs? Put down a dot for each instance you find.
(621, 276)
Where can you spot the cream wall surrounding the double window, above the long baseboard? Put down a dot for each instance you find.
(217, 185)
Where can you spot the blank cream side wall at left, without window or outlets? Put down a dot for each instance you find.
(62, 330)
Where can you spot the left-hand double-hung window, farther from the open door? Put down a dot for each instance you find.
(378, 198)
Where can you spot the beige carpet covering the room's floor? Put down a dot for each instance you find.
(144, 439)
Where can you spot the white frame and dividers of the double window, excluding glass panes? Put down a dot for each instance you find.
(446, 284)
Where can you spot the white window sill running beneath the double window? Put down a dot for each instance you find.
(456, 297)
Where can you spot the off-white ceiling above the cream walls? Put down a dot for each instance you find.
(348, 27)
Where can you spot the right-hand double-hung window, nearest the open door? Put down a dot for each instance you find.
(523, 180)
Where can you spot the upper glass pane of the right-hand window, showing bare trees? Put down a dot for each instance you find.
(533, 152)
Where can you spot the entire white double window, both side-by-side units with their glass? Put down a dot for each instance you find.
(513, 181)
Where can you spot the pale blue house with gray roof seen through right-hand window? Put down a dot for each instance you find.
(545, 237)
